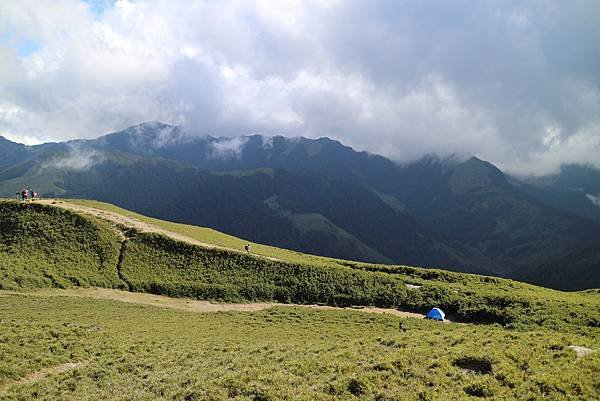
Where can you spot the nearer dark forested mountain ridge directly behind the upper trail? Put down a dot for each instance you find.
(277, 208)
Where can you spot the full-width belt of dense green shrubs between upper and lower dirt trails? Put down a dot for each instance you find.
(152, 263)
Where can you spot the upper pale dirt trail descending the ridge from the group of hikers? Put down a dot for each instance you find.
(139, 225)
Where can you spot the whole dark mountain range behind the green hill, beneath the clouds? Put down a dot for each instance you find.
(319, 196)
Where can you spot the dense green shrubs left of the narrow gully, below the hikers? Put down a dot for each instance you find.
(42, 246)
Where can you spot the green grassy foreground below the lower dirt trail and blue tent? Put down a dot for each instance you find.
(134, 352)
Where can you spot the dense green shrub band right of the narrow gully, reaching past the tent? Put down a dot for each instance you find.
(159, 265)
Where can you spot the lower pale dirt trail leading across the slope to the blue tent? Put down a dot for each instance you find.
(188, 304)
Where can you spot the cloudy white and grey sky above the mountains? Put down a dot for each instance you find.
(516, 83)
